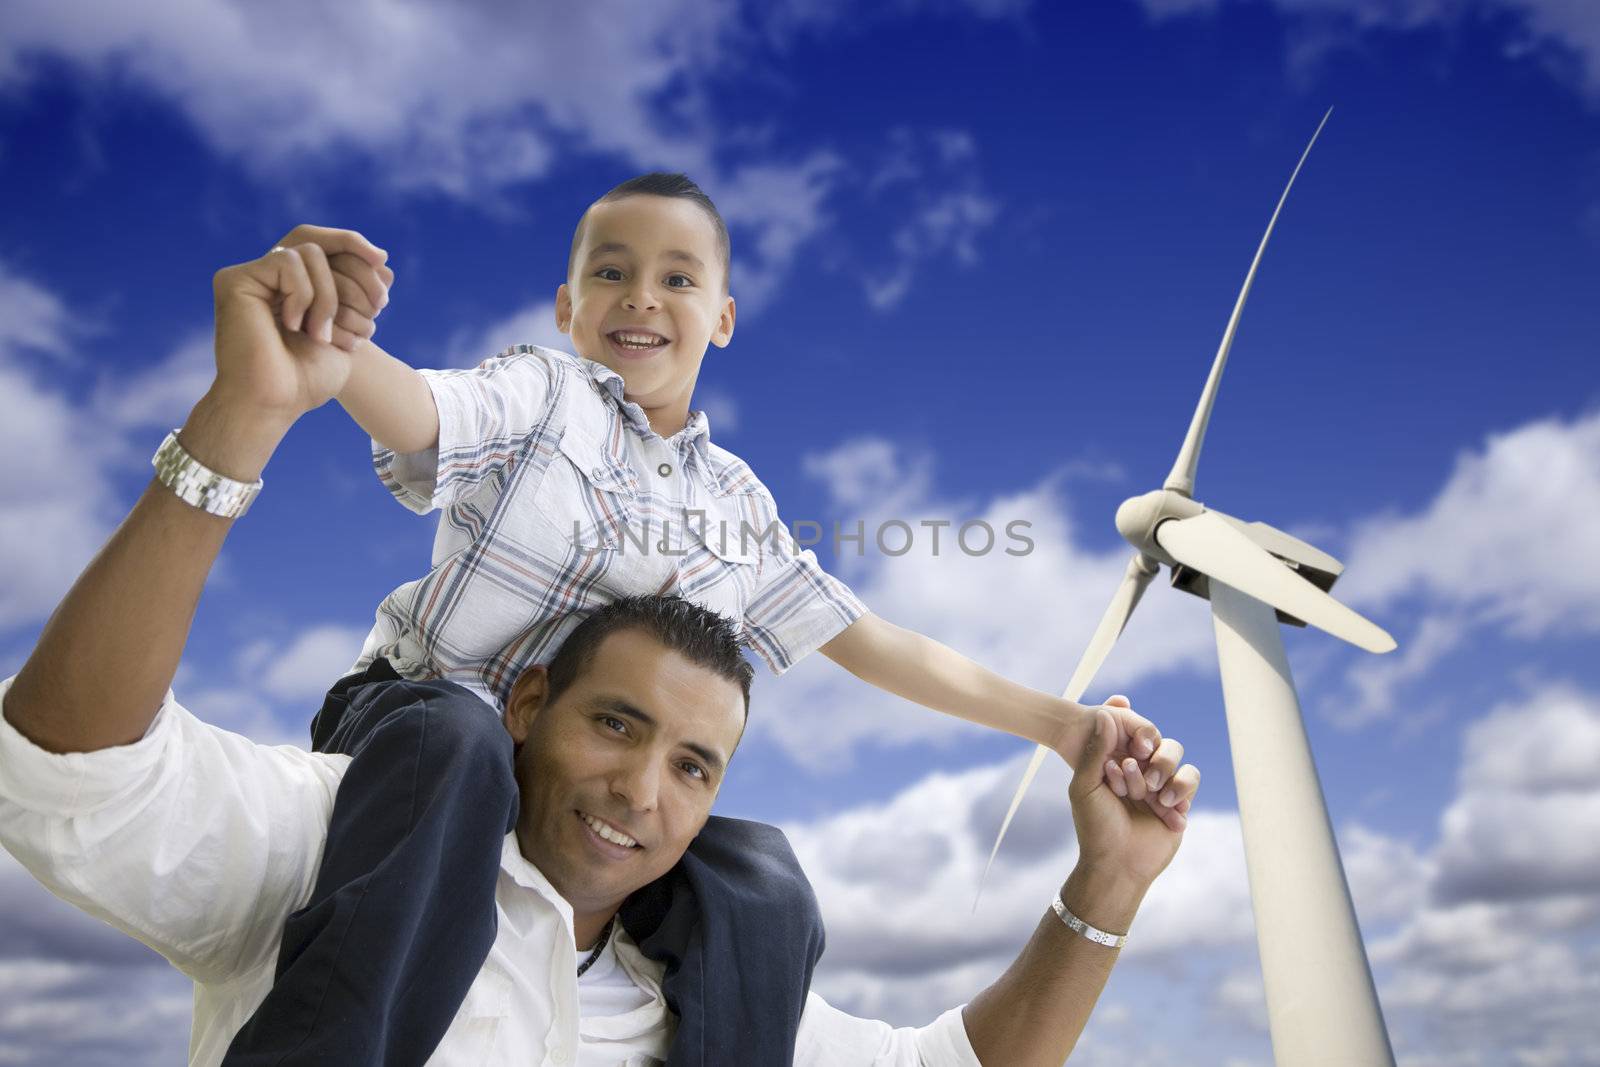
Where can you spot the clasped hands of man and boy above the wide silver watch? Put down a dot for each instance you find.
(286, 322)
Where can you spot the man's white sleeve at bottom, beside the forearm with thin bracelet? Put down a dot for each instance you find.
(833, 1039)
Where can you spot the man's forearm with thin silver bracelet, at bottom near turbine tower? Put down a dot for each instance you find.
(1036, 1012)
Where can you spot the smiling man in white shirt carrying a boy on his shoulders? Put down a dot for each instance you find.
(206, 845)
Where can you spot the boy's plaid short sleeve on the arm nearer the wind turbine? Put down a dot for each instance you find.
(796, 607)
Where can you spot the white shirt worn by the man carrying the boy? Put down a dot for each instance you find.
(199, 844)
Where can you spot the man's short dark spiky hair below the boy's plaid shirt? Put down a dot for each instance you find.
(698, 634)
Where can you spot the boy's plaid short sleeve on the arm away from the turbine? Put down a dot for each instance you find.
(486, 415)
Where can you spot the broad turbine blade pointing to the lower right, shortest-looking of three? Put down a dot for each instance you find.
(1212, 546)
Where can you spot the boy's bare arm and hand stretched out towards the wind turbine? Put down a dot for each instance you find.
(935, 676)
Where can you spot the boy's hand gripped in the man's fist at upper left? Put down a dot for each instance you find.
(337, 286)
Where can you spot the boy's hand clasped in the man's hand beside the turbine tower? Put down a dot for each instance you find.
(1142, 765)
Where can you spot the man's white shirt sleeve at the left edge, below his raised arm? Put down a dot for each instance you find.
(193, 841)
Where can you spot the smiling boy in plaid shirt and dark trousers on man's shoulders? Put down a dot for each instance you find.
(574, 481)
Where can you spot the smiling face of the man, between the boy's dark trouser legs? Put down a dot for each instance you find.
(634, 751)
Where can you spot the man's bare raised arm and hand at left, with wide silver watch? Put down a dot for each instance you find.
(108, 655)
